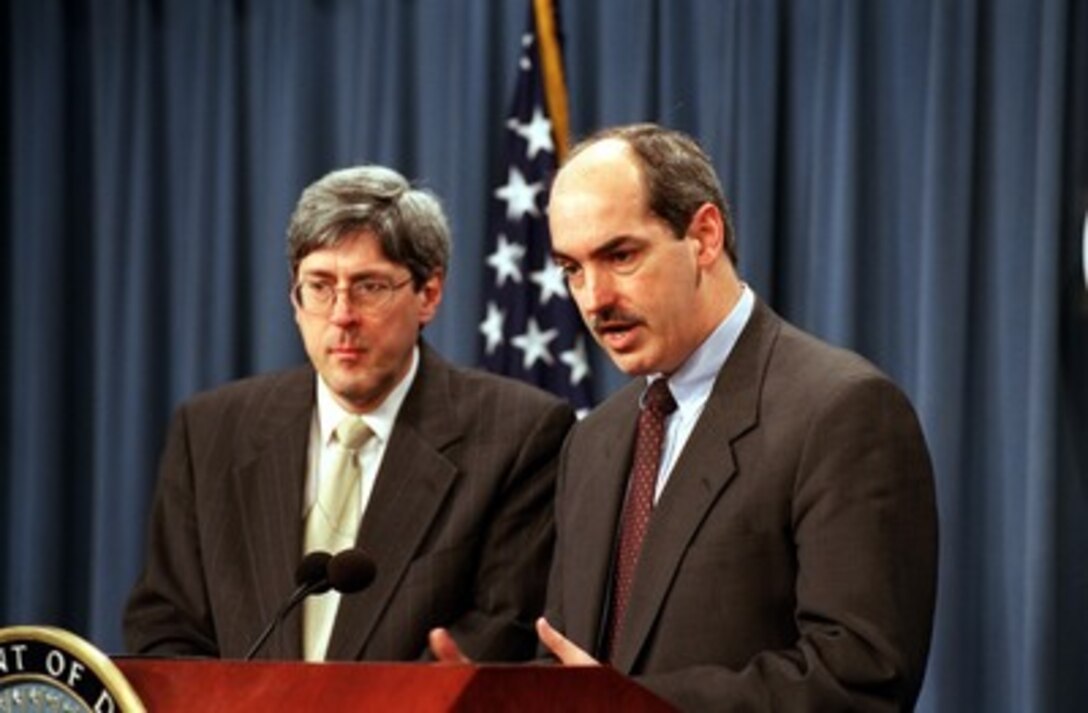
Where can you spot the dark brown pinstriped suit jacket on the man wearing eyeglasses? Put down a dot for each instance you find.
(460, 523)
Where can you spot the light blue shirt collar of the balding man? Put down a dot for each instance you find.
(693, 383)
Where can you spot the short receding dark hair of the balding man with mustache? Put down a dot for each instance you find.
(678, 174)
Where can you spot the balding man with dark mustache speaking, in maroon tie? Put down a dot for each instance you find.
(751, 524)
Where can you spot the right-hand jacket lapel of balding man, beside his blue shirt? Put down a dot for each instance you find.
(704, 470)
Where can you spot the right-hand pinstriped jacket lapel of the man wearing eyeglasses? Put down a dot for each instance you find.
(411, 489)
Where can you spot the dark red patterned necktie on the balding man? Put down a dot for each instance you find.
(649, 440)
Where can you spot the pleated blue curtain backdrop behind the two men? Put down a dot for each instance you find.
(910, 179)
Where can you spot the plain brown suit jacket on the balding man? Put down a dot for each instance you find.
(790, 563)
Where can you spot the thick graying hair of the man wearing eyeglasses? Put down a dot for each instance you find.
(410, 224)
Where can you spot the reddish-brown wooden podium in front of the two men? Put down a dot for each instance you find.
(178, 685)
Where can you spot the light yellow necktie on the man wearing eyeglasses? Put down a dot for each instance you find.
(332, 526)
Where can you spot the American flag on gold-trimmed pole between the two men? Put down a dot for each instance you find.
(531, 329)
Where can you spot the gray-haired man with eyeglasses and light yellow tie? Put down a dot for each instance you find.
(449, 473)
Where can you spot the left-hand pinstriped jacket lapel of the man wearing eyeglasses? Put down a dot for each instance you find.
(268, 495)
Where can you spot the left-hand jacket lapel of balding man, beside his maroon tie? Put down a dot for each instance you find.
(598, 499)
